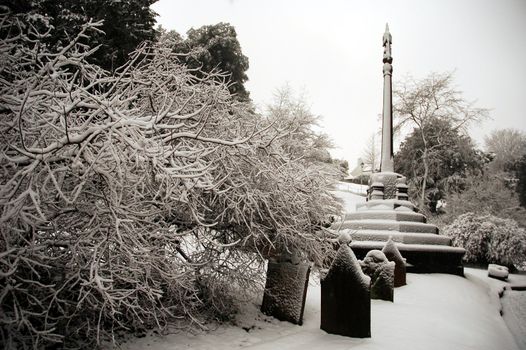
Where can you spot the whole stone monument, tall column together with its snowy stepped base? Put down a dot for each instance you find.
(389, 214)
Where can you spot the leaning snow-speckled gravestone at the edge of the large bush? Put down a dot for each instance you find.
(286, 289)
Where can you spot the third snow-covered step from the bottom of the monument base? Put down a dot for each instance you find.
(387, 225)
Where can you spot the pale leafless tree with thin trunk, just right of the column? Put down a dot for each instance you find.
(418, 103)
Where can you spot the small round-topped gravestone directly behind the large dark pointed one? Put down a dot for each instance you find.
(381, 271)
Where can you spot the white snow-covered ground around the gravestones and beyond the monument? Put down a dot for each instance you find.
(433, 311)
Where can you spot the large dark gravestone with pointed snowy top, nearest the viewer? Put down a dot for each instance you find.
(346, 297)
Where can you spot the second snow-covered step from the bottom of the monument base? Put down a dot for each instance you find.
(401, 237)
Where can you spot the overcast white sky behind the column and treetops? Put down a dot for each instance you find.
(332, 50)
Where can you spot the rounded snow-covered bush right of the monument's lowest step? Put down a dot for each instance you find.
(489, 239)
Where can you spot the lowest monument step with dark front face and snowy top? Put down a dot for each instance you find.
(423, 258)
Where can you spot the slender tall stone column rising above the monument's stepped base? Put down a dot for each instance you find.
(387, 164)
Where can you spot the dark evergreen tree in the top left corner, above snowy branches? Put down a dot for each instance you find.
(127, 23)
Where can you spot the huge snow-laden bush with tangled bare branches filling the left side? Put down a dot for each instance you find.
(133, 199)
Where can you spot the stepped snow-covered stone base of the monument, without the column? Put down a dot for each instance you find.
(378, 219)
